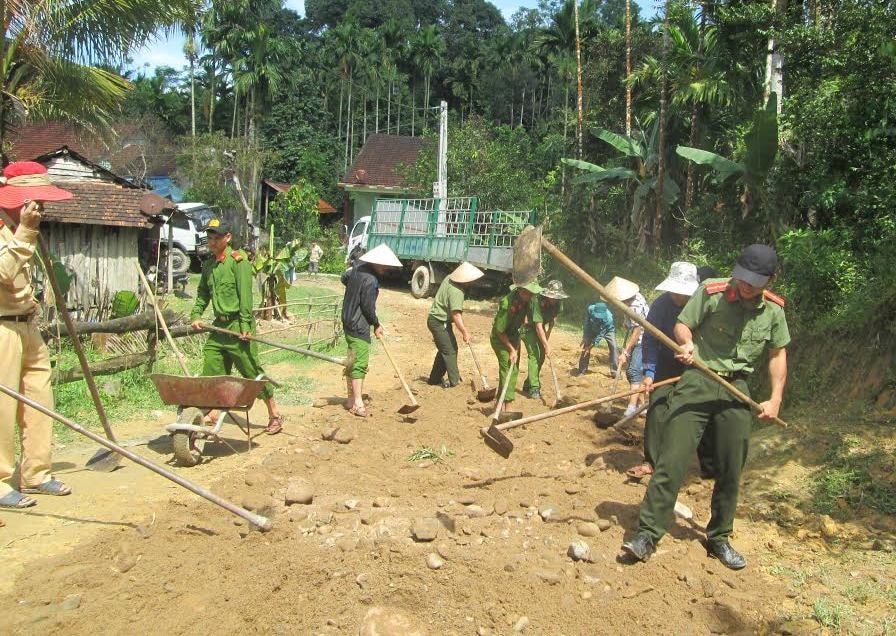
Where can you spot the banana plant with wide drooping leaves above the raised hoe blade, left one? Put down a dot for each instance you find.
(641, 152)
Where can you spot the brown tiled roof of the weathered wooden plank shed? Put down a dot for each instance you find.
(102, 203)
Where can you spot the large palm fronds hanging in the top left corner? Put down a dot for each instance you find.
(52, 55)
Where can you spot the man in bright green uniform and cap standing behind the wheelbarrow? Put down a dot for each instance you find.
(226, 283)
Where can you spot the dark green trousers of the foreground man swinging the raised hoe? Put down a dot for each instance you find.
(695, 401)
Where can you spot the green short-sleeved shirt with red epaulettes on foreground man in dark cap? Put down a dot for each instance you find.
(729, 336)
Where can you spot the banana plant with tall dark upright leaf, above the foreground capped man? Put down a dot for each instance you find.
(760, 150)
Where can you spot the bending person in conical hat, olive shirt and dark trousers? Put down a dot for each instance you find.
(446, 313)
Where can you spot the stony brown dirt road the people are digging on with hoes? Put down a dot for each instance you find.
(131, 552)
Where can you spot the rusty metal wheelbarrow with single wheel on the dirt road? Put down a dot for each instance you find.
(195, 397)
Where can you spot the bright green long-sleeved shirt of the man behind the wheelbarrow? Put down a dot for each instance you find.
(227, 284)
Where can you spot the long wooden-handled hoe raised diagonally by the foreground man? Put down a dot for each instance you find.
(526, 267)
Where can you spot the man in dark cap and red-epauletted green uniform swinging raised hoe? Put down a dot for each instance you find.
(727, 324)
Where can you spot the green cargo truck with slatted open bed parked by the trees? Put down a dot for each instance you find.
(431, 236)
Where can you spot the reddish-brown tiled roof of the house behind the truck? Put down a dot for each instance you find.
(378, 162)
